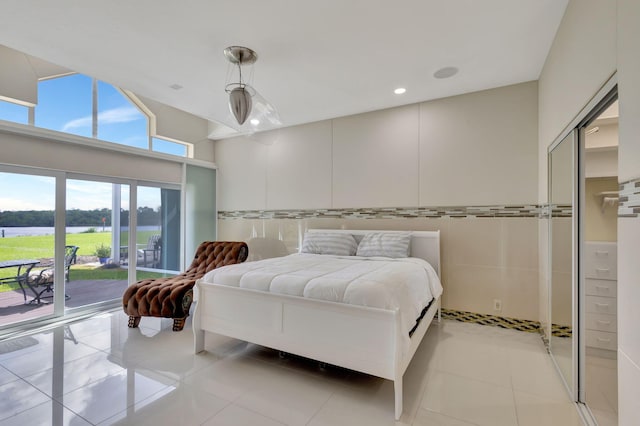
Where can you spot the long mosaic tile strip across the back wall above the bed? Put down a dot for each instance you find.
(501, 211)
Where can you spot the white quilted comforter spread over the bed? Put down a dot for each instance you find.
(406, 284)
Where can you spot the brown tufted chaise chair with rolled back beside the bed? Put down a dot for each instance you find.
(171, 297)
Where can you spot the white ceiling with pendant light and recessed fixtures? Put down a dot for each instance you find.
(317, 59)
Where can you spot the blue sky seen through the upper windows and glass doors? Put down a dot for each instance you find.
(65, 105)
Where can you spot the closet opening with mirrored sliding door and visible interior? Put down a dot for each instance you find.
(583, 214)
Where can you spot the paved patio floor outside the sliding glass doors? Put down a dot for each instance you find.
(13, 309)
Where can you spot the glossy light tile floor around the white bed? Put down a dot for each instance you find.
(98, 371)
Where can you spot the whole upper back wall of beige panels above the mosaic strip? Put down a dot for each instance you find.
(474, 149)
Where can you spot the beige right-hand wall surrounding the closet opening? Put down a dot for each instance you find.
(595, 38)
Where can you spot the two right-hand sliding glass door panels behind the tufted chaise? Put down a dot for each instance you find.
(109, 253)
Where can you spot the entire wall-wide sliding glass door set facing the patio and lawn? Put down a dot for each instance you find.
(72, 242)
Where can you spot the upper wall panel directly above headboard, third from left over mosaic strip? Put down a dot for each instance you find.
(376, 158)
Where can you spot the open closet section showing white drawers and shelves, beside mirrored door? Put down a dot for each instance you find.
(599, 206)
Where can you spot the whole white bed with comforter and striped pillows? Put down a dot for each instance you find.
(293, 311)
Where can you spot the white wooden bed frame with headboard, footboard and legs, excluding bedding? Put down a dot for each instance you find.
(369, 340)
